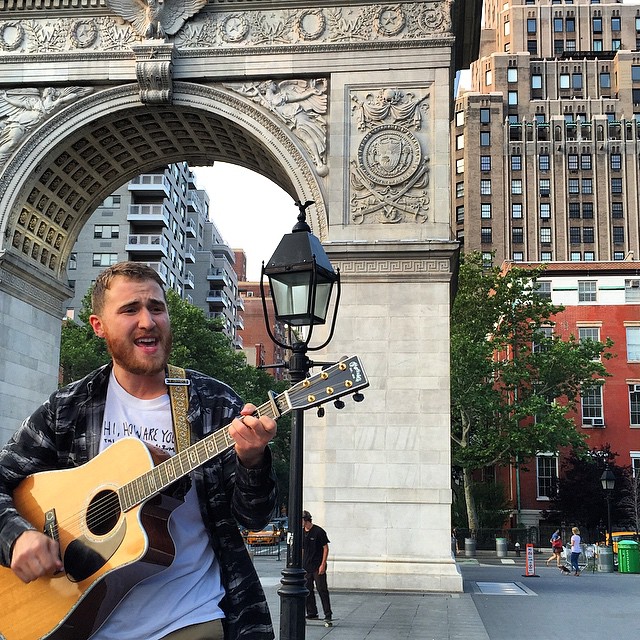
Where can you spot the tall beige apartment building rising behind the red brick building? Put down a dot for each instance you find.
(546, 143)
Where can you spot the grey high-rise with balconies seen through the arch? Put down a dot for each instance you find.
(162, 219)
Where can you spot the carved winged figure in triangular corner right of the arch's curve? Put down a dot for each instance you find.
(301, 105)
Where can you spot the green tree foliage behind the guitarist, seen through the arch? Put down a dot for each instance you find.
(198, 343)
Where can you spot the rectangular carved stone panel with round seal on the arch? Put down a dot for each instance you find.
(389, 176)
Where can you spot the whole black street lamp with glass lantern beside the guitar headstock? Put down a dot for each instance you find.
(301, 280)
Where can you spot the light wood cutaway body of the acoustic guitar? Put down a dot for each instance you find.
(104, 554)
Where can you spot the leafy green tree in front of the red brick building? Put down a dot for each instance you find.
(512, 382)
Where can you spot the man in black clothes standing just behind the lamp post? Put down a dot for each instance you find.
(315, 551)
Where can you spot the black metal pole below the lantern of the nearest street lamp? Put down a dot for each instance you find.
(292, 591)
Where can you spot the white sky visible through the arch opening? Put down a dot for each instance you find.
(250, 211)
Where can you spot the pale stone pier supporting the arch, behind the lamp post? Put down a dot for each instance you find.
(377, 475)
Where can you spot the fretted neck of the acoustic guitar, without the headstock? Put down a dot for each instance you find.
(184, 462)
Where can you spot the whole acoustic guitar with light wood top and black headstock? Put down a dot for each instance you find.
(110, 517)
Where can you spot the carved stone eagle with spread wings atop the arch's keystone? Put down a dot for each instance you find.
(156, 18)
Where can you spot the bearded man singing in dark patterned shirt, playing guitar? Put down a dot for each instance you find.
(210, 590)
